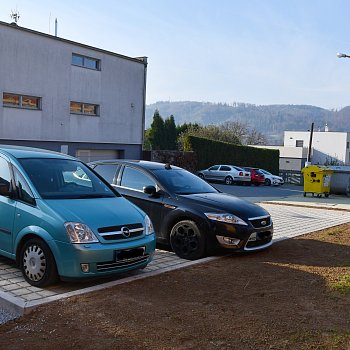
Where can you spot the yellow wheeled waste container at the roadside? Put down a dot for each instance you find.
(317, 180)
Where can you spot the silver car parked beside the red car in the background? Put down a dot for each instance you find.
(230, 174)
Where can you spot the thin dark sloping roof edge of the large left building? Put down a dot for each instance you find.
(142, 60)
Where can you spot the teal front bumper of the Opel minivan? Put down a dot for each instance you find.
(102, 259)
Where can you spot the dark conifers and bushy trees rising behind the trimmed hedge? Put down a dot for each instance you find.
(164, 134)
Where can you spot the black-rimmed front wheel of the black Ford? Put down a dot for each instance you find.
(187, 241)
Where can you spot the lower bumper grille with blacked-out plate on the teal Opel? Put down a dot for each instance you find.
(124, 258)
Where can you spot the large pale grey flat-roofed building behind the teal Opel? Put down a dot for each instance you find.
(65, 96)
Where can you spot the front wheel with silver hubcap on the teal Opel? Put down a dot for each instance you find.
(37, 263)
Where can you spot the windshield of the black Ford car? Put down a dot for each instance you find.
(181, 181)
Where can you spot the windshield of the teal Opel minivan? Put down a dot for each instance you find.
(64, 179)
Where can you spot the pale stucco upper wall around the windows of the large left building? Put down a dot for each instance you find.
(40, 65)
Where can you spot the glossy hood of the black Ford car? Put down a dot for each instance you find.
(226, 203)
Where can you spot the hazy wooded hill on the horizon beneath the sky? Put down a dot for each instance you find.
(271, 120)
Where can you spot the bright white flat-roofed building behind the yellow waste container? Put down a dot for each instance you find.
(328, 148)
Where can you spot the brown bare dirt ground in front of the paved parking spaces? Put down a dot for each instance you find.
(287, 297)
